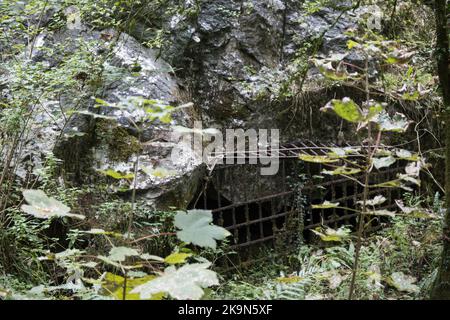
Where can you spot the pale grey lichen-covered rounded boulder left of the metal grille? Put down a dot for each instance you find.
(99, 139)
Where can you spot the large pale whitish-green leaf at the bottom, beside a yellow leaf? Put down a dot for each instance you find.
(184, 283)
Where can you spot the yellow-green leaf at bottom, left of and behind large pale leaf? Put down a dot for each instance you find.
(113, 285)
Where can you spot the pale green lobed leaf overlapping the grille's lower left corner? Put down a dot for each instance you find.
(196, 228)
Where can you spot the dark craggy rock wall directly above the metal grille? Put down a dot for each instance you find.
(241, 53)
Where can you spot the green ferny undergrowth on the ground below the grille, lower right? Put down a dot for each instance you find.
(398, 262)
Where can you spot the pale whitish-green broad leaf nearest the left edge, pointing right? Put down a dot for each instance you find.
(43, 207)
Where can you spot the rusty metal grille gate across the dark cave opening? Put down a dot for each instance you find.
(265, 218)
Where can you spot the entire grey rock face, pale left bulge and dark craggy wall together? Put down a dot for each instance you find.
(233, 59)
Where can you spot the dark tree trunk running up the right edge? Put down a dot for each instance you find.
(441, 288)
